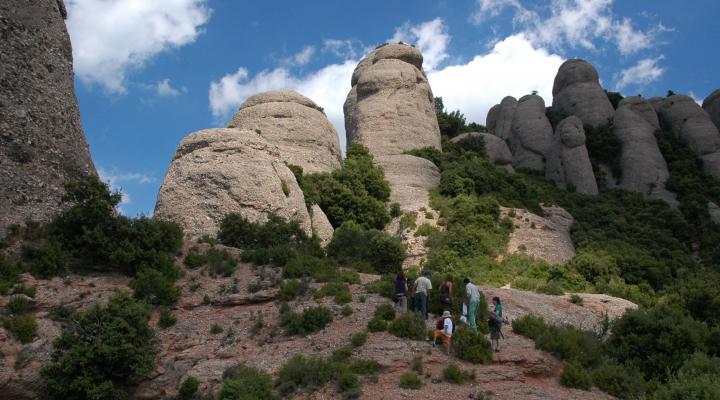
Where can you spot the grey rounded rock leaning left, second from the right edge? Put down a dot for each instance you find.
(693, 125)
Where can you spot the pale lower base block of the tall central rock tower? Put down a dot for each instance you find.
(411, 179)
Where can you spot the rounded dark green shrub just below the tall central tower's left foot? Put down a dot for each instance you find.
(351, 243)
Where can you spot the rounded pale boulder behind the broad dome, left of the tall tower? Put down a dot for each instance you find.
(296, 125)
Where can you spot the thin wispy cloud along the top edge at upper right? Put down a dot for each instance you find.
(573, 23)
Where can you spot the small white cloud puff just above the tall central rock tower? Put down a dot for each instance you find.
(430, 37)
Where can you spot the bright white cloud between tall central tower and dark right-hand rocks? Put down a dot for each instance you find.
(513, 67)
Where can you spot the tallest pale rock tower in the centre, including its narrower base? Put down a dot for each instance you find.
(390, 110)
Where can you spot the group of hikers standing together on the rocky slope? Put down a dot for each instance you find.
(420, 292)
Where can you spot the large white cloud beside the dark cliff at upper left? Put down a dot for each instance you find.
(110, 38)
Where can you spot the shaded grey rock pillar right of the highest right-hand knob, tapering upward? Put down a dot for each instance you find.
(644, 169)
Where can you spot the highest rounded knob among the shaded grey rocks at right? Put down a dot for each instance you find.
(577, 91)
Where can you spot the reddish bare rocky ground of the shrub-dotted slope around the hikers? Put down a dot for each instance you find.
(251, 335)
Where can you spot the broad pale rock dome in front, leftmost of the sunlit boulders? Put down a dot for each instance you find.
(219, 171)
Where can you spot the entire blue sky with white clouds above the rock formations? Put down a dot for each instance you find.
(150, 72)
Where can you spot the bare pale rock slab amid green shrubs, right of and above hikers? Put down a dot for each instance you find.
(542, 238)
